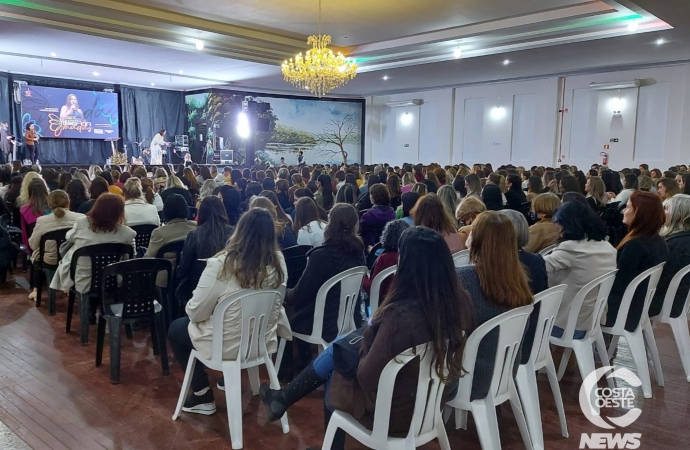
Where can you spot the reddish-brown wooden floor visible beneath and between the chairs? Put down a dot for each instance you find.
(53, 397)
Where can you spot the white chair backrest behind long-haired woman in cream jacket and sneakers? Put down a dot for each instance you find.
(257, 306)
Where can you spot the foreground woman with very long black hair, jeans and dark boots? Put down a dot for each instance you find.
(425, 303)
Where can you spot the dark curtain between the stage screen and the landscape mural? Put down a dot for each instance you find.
(147, 111)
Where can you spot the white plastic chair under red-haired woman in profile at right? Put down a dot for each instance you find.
(643, 331)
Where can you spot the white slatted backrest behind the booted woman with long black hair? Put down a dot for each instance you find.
(429, 394)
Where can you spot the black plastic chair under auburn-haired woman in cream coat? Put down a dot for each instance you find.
(101, 256)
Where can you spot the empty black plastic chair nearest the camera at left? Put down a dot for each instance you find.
(128, 294)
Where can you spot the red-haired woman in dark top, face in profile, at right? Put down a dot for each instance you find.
(641, 249)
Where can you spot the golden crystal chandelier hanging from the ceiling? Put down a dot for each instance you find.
(320, 70)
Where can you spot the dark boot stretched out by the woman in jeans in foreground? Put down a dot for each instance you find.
(277, 402)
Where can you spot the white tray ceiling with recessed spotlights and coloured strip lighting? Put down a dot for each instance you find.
(411, 42)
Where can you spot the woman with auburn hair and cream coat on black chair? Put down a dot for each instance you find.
(104, 224)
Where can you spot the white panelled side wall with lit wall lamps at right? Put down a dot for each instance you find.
(464, 124)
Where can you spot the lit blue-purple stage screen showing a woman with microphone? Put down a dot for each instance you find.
(70, 113)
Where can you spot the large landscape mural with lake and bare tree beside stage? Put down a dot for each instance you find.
(326, 131)
